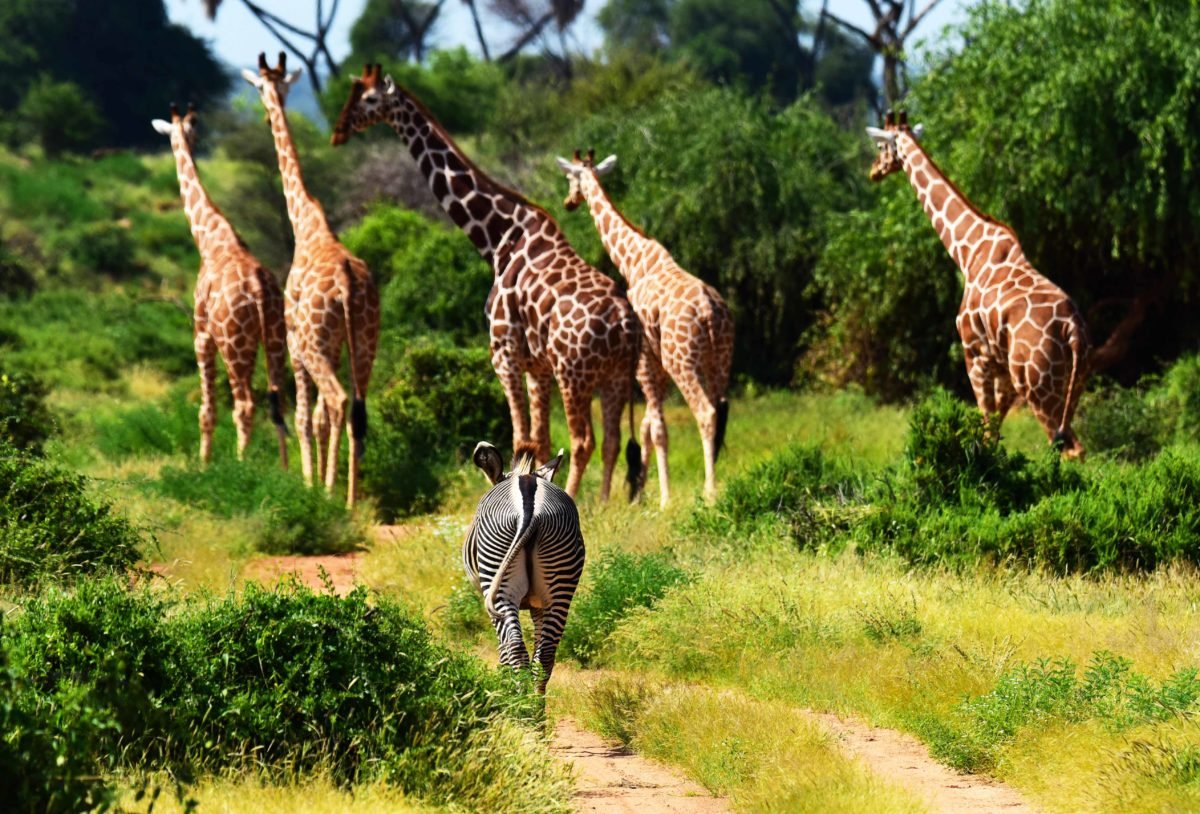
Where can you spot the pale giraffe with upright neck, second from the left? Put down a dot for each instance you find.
(329, 300)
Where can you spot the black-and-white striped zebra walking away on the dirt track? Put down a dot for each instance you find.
(525, 549)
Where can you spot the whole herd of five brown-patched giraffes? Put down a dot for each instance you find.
(556, 321)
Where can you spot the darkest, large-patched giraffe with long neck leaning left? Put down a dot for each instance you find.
(553, 318)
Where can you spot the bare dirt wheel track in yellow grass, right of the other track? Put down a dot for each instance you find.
(905, 761)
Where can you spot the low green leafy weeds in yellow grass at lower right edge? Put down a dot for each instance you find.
(1034, 695)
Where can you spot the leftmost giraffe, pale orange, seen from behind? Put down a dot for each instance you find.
(238, 303)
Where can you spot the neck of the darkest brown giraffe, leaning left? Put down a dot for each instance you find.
(484, 210)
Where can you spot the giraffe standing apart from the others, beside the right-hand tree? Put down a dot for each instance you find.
(1023, 337)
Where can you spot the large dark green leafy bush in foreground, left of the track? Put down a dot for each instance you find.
(283, 683)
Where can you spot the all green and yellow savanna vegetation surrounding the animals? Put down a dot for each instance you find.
(877, 549)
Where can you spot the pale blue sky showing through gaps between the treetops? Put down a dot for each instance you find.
(237, 37)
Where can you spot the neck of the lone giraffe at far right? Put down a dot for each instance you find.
(962, 228)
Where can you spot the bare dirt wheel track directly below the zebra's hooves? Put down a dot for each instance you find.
(611, 780)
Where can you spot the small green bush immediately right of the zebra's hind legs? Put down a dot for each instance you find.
(620, 584)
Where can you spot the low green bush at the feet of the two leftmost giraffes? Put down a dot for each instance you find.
(292, 518)
